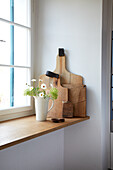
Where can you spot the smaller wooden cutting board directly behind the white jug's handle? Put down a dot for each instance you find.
(56, 111)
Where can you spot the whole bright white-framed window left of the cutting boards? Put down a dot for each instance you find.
(15, 56)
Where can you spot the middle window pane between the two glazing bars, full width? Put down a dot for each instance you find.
(21, 45)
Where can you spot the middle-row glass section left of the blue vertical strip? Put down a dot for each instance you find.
(4, 43)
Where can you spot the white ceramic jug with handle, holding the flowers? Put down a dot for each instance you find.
(41, 108)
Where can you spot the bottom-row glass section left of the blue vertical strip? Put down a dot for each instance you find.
(4, 87)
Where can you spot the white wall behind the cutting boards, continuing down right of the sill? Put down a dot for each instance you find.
(75, 25)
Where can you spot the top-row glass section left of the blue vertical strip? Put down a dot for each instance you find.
(5, 9)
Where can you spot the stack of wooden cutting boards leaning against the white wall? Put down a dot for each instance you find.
(70, 88)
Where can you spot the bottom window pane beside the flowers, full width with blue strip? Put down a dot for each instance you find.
(12, 91)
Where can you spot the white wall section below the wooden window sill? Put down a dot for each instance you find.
(42, 153)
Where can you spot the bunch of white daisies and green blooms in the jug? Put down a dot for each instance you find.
(41, 90)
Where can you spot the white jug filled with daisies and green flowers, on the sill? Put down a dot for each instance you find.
(42, 95)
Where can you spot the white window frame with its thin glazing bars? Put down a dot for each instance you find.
(16, 112)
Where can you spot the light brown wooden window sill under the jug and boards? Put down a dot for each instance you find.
(20, 130)
